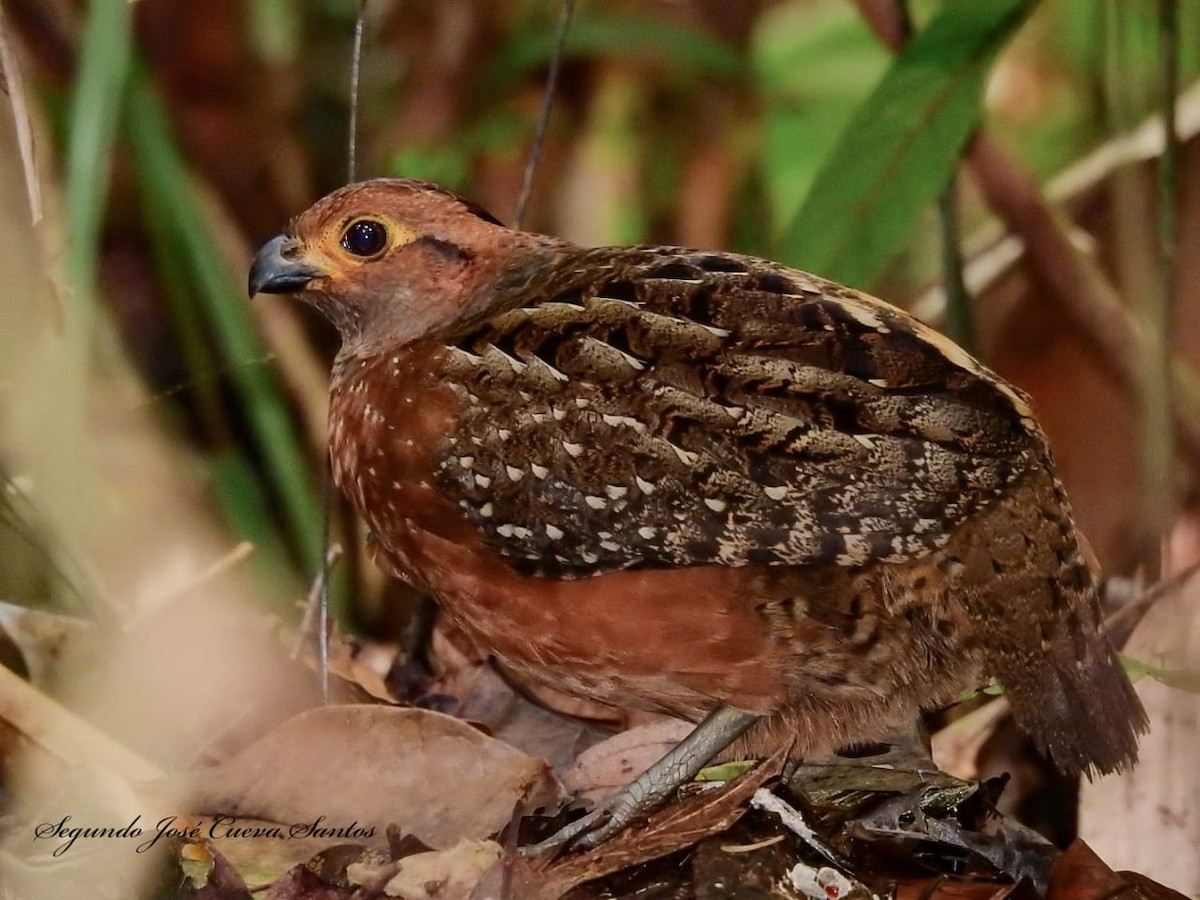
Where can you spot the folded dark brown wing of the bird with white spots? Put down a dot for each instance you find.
(704, 410)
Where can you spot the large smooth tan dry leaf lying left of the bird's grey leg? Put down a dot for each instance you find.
(427, 773)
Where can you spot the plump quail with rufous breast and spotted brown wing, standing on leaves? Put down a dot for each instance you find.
(700, 484)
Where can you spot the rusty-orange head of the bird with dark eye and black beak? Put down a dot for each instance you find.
(392, 261)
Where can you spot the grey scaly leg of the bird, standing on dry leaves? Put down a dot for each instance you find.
(721, 729)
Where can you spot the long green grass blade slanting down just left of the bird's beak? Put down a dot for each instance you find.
(166, 182)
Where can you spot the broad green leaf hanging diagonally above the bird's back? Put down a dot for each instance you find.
(902, 146)
